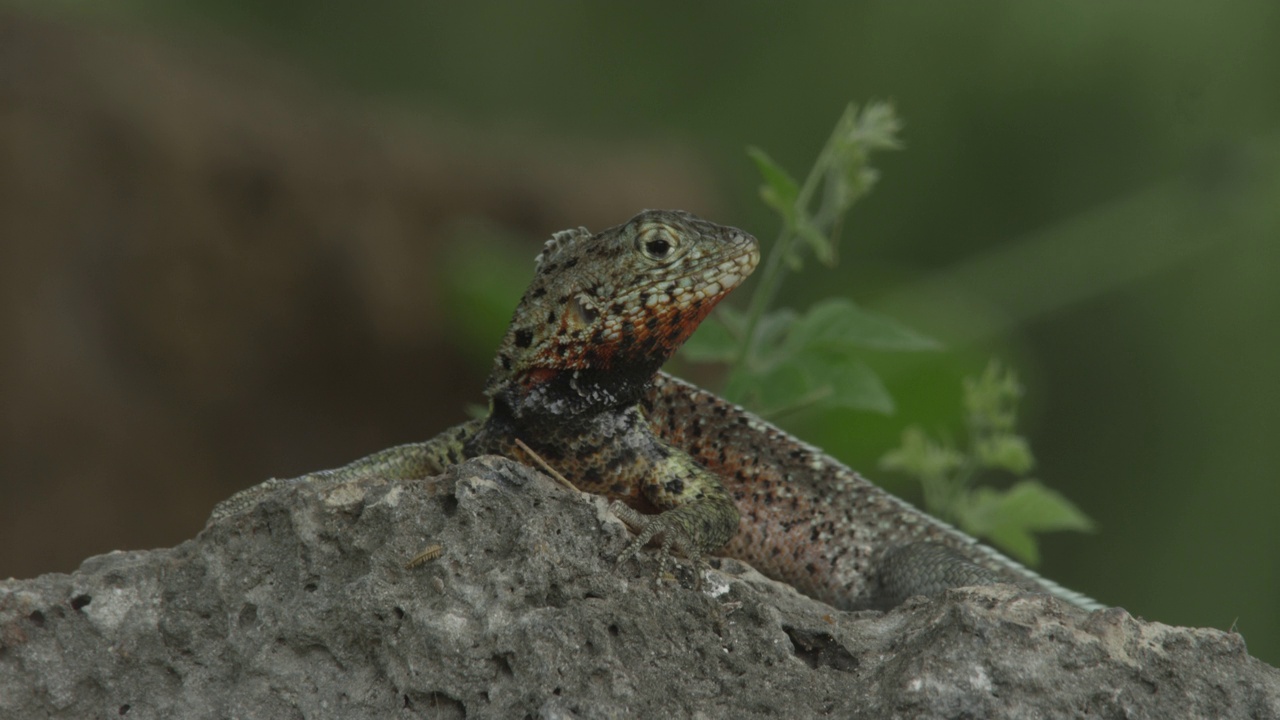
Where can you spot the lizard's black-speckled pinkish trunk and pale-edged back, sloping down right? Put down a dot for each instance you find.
(807, 518)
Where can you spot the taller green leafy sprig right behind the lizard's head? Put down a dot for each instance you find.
(783, 361)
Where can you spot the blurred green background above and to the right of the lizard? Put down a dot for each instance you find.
(1090, 192)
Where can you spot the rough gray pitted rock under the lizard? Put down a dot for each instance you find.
(304, 608)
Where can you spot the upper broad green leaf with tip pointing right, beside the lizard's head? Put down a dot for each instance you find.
(839, 323)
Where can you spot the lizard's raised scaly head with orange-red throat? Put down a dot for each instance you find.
(606, 311)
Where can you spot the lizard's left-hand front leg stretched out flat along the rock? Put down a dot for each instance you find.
(404, 462)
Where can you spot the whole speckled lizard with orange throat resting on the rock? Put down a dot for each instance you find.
(578, 379)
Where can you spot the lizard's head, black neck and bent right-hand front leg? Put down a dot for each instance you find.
(604, 313)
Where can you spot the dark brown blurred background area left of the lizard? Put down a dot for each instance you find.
(212, 274)
